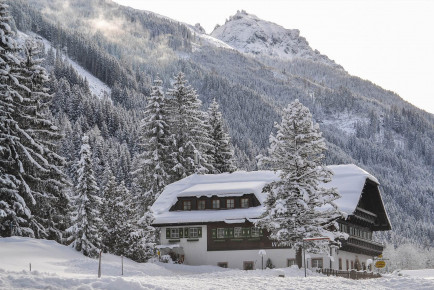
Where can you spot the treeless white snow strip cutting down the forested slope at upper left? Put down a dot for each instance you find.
(96, 86)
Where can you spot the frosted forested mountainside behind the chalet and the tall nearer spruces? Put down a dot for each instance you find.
(127, 49)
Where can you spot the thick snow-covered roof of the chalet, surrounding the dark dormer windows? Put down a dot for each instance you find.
(348, 179)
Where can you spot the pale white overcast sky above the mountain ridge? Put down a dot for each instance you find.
(389, 42)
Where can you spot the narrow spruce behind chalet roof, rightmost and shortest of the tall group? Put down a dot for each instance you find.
(222, 154)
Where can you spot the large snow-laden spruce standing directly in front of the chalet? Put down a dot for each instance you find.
(297, 206)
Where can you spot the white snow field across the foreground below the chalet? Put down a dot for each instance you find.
(59, 267)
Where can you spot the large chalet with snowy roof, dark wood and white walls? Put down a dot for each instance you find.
(209, 220)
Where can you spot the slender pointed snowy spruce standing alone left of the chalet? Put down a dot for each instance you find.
(86, 221)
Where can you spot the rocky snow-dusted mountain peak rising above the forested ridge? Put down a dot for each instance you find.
(249, 34)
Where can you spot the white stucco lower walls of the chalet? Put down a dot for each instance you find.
(195, 253)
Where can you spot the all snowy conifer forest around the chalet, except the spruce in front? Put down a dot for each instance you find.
(82, 166)
